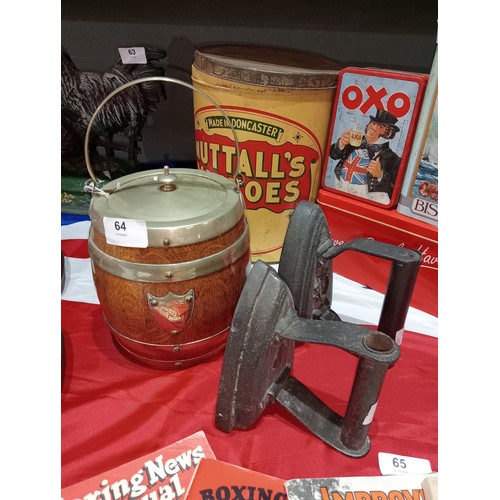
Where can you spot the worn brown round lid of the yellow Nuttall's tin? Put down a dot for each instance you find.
(265, 65)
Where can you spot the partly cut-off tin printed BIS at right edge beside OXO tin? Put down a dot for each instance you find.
(419, 193)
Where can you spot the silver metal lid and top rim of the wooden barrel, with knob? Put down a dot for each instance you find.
(182, 205)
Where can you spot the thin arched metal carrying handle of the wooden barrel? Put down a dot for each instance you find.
(237, 178)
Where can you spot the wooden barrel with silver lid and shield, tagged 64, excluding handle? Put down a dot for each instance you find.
(169, 251)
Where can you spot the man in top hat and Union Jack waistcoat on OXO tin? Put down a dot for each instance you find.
(367, 166)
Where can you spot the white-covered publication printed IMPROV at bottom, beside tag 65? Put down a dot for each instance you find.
(402, 486)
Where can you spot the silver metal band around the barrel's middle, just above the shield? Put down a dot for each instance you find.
(167, 273)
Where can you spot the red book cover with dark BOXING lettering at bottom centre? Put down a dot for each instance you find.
(220, 480)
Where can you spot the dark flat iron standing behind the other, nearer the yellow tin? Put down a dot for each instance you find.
(306, 267)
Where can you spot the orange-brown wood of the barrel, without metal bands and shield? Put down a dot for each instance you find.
(125, 305)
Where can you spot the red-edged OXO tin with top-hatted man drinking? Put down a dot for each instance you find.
(373, 124)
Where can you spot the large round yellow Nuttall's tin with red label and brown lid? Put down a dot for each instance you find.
(279, 102)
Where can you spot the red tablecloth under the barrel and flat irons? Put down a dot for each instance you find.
(114, 410)
